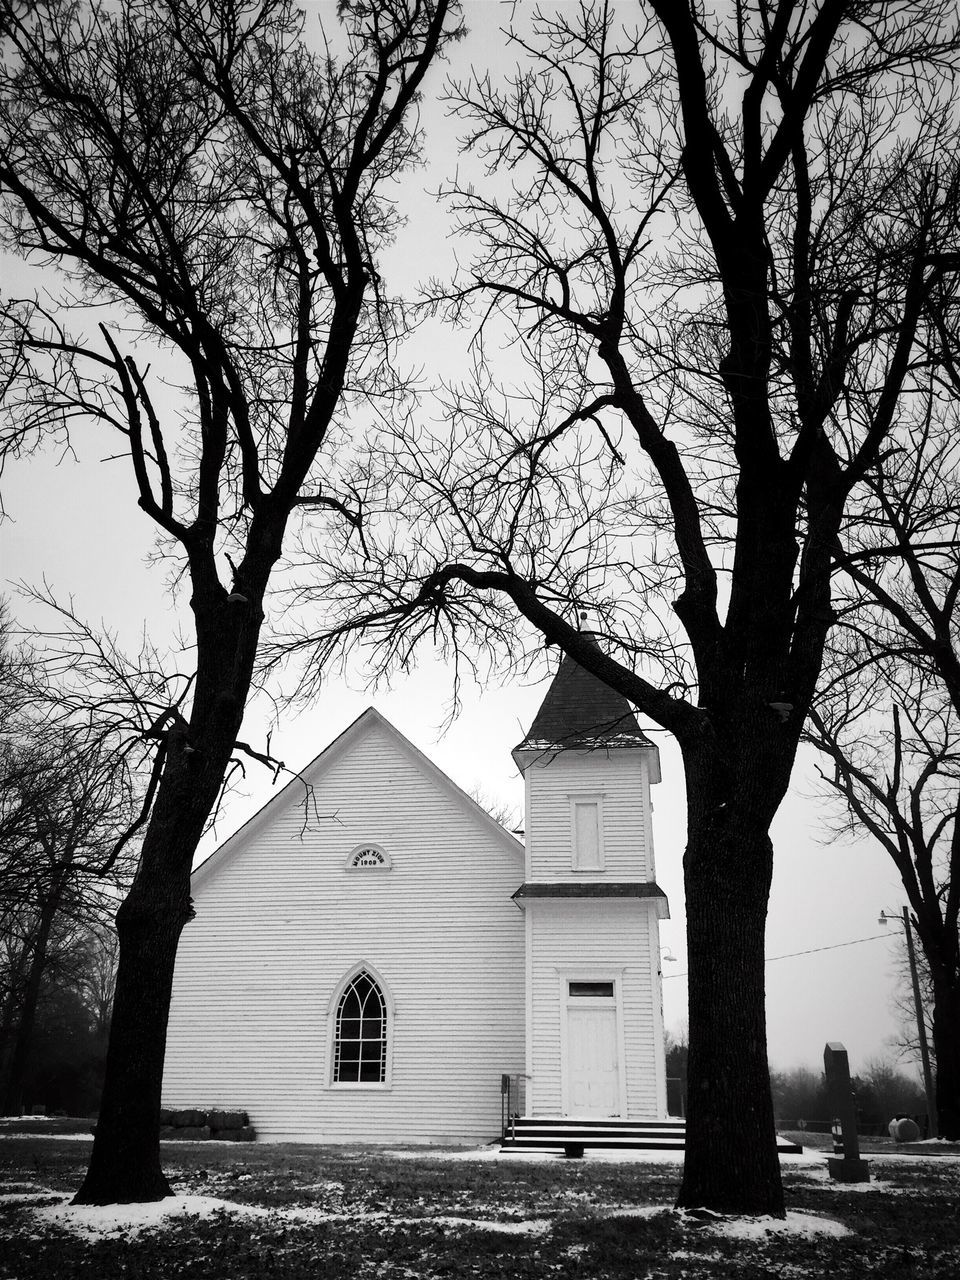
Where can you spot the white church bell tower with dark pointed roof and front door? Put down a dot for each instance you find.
(595, 1021)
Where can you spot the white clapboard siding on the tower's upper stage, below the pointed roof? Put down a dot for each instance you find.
(619, 778)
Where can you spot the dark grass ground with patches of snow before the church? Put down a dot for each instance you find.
(342, 1214)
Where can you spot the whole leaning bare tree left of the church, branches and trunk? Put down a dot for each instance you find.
(216, 195)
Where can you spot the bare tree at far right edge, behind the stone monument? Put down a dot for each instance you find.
(889, 714)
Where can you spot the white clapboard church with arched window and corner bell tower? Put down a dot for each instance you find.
(373, 953)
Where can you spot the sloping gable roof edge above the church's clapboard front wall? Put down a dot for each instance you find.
(313, 772)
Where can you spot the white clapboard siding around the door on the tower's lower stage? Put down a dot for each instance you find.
(593, 939)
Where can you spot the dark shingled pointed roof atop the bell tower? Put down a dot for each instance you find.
(582, 712)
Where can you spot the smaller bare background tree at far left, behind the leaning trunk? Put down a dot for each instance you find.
(72, 788)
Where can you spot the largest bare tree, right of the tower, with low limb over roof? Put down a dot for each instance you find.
(725, 253)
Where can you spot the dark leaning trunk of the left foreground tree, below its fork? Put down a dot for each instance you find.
(126, 1160)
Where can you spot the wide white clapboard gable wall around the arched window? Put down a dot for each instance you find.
(281, 924)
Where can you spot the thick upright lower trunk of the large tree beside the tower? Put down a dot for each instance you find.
(732, 1160)
